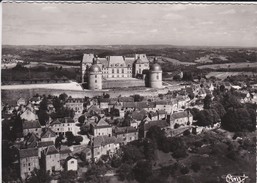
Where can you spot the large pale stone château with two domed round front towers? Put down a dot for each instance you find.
(95, 70)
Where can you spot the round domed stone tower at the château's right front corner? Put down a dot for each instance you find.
(155, 75)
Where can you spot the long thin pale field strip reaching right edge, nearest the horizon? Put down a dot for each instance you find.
(229, 66)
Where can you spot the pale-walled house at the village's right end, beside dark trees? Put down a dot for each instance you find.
(180, 119)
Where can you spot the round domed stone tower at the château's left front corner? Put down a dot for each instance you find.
(95, 77)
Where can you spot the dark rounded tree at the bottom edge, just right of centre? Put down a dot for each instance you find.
(142, 171)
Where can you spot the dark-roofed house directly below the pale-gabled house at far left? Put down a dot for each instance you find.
(31, 127)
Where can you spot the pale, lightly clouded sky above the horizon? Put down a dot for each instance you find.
(130, 24)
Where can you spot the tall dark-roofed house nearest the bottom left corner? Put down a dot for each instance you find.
(28, 160)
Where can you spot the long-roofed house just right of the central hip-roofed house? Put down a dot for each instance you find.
(127, 134)
